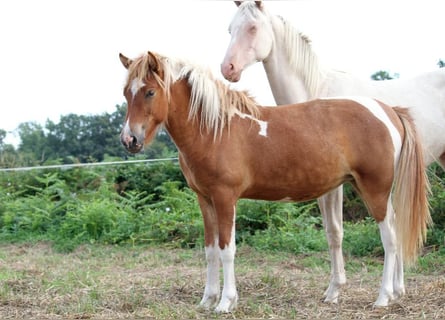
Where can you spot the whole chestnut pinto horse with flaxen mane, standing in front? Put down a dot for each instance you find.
(231, 148)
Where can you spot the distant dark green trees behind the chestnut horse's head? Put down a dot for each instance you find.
(83, 138)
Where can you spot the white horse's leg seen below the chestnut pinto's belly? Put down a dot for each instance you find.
(331, 207)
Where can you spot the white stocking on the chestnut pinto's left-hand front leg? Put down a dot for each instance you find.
(211, 291)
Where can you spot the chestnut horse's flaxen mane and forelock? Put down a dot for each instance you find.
(210, 98)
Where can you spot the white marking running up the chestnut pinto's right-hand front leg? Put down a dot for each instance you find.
(229, 297)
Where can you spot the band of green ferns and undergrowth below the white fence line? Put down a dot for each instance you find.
(151, 204)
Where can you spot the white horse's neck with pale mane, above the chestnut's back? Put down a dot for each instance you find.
(292, 67)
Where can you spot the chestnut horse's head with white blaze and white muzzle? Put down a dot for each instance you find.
(147, 100)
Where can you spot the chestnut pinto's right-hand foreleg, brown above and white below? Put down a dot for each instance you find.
(226, 224)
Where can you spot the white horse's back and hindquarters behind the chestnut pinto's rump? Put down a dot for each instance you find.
(423, 95)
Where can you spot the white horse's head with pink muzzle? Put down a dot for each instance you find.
(252, 39)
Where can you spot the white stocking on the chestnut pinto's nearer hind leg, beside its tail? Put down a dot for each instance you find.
(389, 240)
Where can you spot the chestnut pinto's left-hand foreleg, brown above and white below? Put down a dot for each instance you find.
(212, 287)
